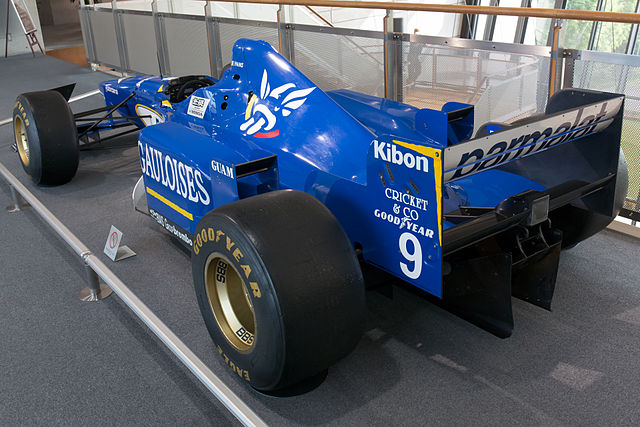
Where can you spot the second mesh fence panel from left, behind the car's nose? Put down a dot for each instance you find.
(142, 51)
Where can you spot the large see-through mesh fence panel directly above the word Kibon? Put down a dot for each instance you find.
(502, 86)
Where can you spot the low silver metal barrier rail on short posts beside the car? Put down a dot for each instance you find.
(224, 394)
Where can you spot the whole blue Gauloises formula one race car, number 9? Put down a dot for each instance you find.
(287, 194)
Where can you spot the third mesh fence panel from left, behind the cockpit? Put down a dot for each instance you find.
(187, 47)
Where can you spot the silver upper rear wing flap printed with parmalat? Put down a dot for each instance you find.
(583, 113)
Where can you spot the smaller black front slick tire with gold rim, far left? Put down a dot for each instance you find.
(46, 137)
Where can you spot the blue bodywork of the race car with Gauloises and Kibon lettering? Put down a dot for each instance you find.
(376, 164)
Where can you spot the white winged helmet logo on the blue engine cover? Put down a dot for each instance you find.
(259, 120)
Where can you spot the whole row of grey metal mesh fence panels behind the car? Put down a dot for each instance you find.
(504, 83)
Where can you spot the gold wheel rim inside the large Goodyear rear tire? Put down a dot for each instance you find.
(230, 302)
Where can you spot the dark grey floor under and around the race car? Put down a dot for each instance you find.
(64, 362)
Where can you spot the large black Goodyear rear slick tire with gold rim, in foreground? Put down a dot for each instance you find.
(279, 287)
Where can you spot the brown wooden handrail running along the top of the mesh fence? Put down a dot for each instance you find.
(581, 15)
